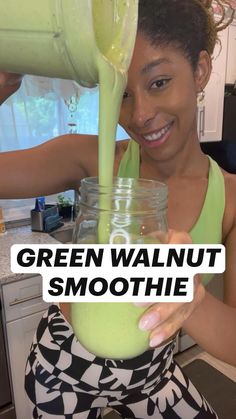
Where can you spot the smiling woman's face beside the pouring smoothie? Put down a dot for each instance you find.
(159, 105)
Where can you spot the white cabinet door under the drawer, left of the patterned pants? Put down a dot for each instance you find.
(20, 335)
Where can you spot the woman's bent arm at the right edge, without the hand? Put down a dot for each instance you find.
(213, 323)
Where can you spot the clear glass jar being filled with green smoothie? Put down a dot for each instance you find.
(132, 211)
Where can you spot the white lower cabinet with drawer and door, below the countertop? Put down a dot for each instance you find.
(23, 309)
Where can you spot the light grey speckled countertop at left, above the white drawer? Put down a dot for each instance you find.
(19, 235)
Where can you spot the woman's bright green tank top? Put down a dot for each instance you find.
(208, 227)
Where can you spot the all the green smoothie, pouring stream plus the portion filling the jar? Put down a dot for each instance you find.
(107, 328)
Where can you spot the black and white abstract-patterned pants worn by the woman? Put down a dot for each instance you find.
(64, 380)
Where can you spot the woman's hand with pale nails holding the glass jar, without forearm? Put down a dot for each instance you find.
(165, 319)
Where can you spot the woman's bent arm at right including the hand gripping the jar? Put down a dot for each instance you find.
(210, 322)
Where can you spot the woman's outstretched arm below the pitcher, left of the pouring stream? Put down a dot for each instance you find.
(52, 167)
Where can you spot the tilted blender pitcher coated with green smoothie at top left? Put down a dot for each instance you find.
(66, 38)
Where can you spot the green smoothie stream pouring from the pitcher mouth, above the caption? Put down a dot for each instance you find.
(112, 65)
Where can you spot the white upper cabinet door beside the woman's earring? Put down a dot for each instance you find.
(214, 98)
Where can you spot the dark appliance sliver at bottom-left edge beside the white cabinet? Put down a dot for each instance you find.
(7, 410)
